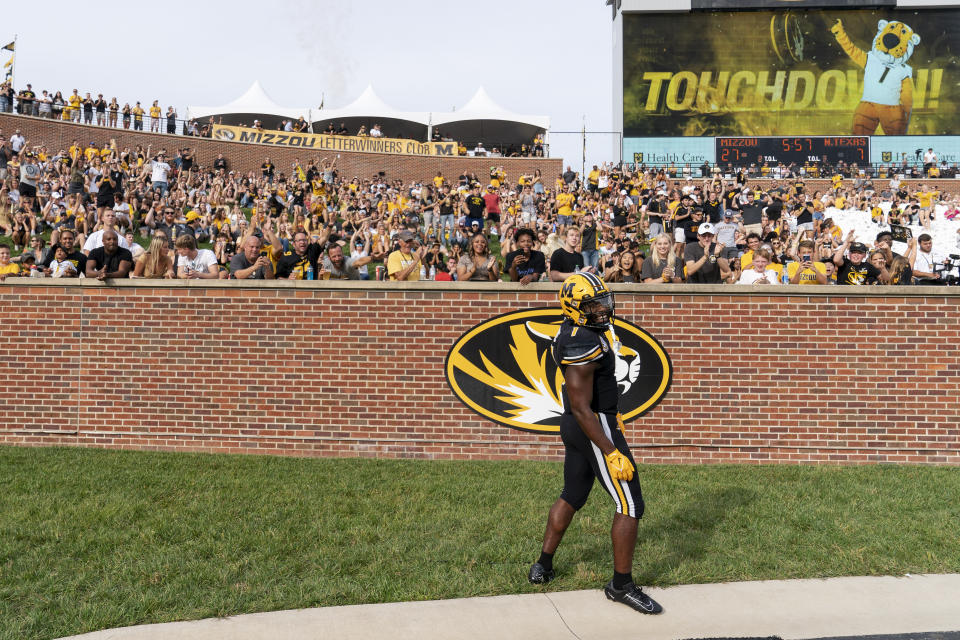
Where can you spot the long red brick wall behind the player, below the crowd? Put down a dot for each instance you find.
(845, 376)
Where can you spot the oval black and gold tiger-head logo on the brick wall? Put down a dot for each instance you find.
(503, 370)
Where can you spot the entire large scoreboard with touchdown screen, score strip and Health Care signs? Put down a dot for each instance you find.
(783, 81)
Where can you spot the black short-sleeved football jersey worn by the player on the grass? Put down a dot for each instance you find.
(576, 346)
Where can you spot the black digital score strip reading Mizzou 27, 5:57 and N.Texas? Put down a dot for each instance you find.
(799, 149)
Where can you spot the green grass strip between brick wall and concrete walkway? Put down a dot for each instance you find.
(94, 539)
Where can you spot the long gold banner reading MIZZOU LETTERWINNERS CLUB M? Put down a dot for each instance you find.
(321, 142)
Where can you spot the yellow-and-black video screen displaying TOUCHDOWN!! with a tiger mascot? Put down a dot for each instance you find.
(792, 72)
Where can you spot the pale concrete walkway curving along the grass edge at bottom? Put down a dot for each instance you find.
(786, 608)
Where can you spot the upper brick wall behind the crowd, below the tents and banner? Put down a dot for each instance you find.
(243, 156)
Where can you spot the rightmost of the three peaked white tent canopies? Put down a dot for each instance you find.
(483, 120)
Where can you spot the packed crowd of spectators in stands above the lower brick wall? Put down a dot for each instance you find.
(97, 210)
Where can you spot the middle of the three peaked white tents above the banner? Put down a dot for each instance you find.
(369, 109)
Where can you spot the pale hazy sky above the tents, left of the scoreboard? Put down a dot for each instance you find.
(538, 58)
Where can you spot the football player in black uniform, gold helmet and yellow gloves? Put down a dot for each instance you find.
(592, 432)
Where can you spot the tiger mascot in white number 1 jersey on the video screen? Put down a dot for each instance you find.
(887, 98)
